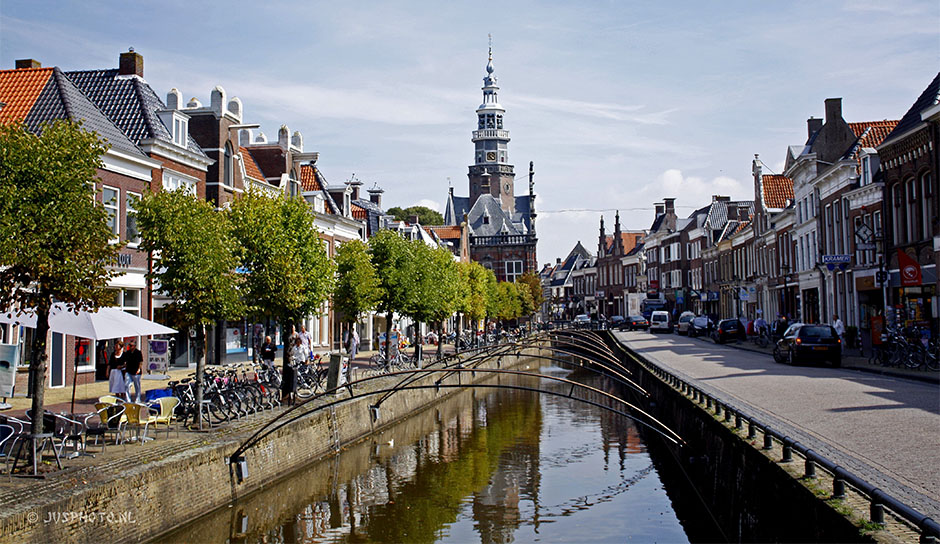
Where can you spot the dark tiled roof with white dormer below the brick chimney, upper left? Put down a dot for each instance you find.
(130, 103)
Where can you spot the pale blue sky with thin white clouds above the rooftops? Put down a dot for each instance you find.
(619, 104)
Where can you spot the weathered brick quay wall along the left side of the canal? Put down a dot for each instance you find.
(139, 496)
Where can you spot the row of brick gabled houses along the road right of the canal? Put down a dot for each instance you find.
(848, 228)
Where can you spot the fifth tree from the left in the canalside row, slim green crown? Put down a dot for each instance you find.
(391, 256)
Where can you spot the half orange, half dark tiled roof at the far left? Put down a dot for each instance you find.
(38, 95)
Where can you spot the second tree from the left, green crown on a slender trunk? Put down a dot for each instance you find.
(196, 264)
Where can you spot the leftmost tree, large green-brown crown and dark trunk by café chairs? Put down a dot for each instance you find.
(54, 238)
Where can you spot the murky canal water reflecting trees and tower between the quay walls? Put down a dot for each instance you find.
(487, 465)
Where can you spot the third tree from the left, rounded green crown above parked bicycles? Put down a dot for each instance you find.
(288, 273)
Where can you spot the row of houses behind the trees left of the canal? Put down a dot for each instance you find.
(210, 150)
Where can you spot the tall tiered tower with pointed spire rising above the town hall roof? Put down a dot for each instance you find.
(491, 173)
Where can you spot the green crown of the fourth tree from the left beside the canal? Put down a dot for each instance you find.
(358, 289)
